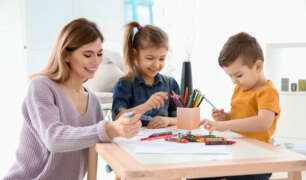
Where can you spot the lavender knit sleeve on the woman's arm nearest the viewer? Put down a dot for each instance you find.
(44, 115)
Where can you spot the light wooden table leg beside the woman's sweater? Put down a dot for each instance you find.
(92, 163)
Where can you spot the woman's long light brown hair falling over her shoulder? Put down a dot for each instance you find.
(74, 35)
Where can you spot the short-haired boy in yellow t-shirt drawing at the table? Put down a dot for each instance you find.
(255, 103)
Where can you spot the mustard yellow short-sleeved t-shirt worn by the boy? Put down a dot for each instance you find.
(246, 104)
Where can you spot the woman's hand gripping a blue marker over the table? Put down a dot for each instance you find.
(127, 127)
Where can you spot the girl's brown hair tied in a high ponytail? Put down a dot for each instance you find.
(146, 37)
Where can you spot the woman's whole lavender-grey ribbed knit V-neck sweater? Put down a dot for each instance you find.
(55, 137)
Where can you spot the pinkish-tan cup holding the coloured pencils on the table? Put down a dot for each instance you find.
(188, 118)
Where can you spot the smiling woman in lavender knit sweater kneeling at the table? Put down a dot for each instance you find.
(62, 118)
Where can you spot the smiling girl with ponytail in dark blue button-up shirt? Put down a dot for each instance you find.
(143, 89)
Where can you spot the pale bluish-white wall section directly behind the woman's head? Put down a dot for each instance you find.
(45, 19)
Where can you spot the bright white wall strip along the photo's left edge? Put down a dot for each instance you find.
(12, 78)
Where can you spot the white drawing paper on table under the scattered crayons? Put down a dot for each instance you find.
(165, 147)
